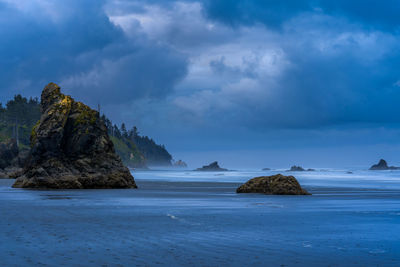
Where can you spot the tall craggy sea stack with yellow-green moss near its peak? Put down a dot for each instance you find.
(70, 148)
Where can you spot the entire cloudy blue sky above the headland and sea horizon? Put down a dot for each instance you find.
(257, 83)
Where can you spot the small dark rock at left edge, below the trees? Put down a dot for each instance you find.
(12, 159)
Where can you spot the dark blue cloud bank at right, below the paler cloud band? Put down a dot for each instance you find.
(320, 91)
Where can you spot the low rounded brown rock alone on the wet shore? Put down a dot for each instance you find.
(273, 185)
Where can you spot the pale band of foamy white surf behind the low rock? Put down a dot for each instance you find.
(363, 179)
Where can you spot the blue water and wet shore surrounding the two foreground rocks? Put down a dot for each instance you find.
(188, 218)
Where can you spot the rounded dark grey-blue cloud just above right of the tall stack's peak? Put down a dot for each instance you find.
(149, 72)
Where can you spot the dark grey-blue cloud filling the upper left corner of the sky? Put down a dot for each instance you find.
(37, 48)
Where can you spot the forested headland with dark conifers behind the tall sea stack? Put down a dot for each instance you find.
(19, 115)
